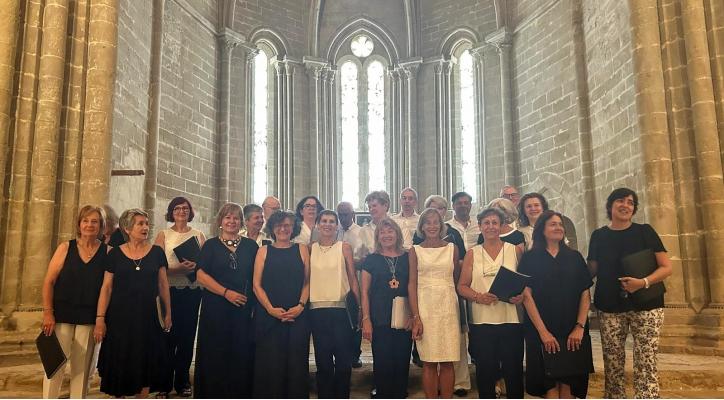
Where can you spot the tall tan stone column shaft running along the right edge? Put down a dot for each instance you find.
(706, 137)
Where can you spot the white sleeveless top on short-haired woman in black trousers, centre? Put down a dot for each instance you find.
(328, 283)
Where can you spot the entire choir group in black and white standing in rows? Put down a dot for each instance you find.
(412, 284)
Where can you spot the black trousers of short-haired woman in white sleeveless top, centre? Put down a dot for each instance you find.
(331, 334)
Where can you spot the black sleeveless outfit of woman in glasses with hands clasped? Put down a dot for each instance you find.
(281, 365)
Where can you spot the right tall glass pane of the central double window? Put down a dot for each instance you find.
(376, 125)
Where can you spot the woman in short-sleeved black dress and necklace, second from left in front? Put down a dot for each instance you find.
(132, 359)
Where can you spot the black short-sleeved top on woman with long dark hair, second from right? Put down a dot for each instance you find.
(556, 284)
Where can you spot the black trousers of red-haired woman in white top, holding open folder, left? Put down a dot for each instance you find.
(184, 316)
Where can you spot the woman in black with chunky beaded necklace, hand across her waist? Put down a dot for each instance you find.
(225, 350)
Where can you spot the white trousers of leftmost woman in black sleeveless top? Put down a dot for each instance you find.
(78, 344)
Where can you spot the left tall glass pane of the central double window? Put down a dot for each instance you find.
(350, 126)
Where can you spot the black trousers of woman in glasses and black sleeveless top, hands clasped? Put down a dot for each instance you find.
(281, 363)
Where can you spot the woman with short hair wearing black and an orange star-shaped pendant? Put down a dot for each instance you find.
(385, 275)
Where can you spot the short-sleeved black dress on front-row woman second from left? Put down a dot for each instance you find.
(132, 354)
